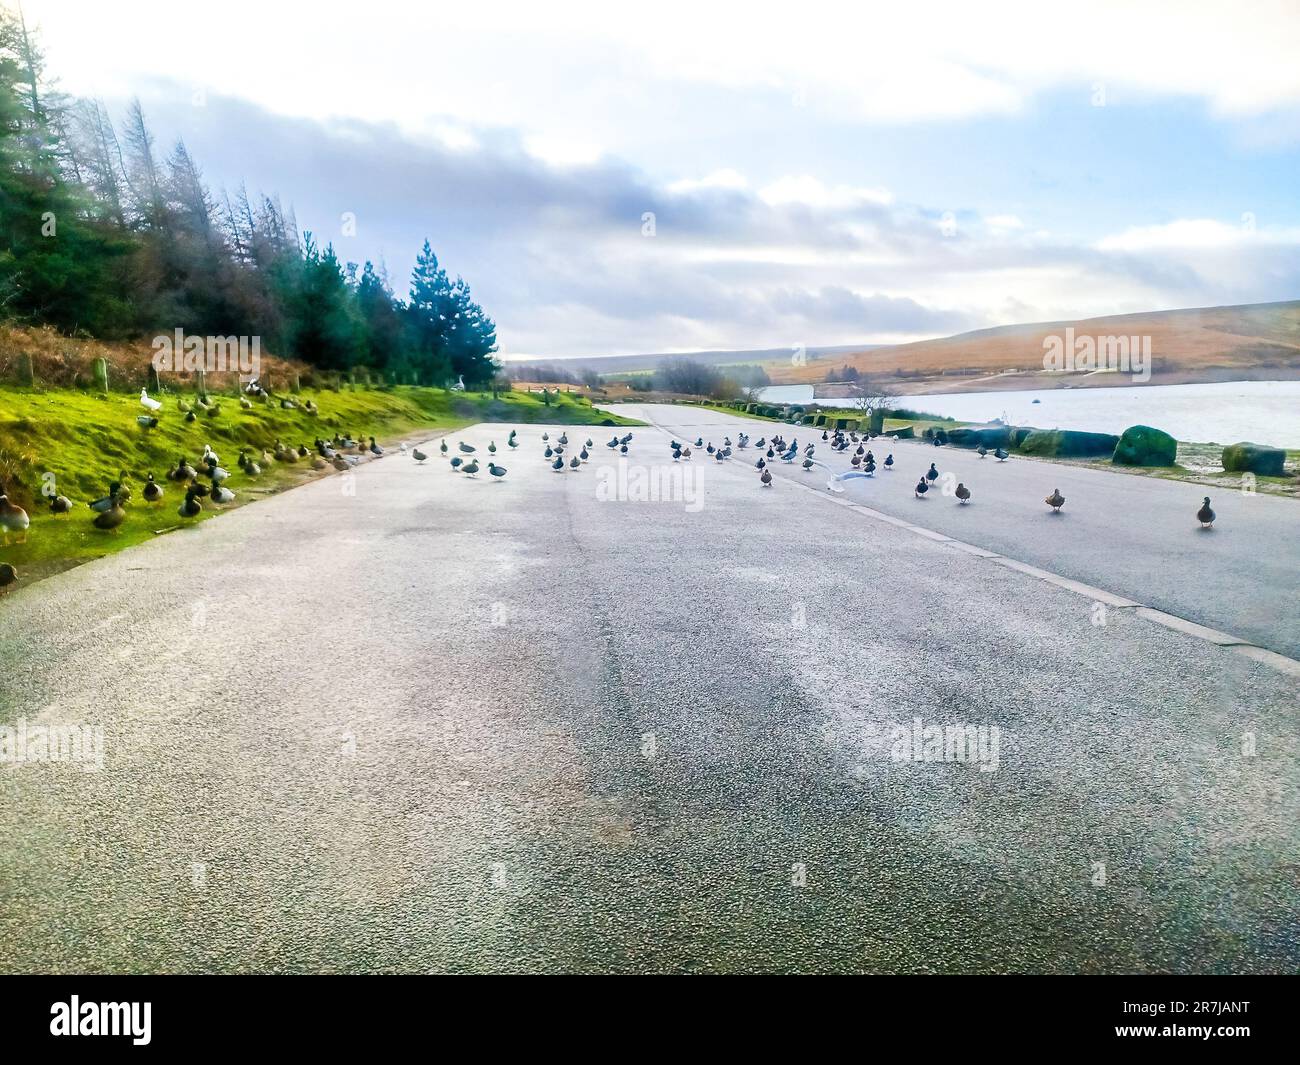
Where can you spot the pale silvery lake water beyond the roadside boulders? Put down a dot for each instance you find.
(1217, 413)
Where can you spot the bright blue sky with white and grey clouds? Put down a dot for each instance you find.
(687, 176)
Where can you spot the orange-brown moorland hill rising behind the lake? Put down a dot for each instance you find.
(1259, 341)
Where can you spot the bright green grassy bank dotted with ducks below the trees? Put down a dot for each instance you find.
(85, 441)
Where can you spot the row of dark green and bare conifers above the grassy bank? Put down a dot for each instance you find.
(103, 235)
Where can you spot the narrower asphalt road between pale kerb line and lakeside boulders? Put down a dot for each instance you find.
(1137, 538)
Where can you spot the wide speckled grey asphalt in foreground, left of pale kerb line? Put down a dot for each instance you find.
(417, 722)
